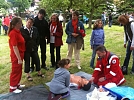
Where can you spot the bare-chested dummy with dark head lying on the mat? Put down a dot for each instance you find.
(80, 81)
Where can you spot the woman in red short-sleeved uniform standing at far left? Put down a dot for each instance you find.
(17, 48)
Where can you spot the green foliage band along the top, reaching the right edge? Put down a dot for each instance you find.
(91, 8)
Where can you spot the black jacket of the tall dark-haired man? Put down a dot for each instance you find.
(43, 27)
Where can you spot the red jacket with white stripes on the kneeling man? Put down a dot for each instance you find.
(111, 71)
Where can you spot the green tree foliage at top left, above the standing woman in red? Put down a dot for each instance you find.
(20, 5)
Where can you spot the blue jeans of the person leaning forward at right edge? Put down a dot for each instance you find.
(128, 54)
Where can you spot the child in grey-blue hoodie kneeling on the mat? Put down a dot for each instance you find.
(61, 80)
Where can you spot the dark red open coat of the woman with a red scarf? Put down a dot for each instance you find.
(58, 34)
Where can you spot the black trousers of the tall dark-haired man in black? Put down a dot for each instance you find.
(43, 51)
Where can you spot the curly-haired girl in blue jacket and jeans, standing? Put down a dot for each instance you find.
(97, 38)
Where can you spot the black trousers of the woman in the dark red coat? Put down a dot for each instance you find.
(58, 57)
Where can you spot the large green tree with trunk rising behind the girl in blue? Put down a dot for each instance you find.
(89, 7)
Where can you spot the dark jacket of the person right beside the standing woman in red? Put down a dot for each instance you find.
(31, 43)
